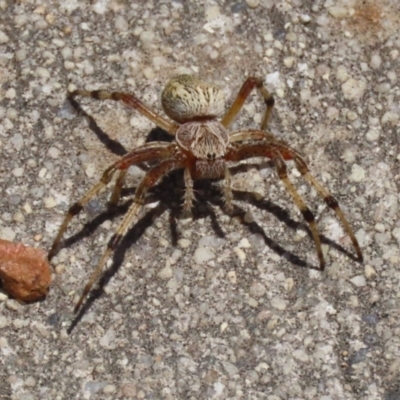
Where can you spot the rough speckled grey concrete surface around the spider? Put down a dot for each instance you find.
(204, 308)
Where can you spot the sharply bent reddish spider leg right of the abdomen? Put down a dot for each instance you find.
(244, 92)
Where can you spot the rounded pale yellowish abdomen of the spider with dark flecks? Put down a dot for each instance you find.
(186, 97)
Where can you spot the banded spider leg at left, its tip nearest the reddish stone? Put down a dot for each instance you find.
(148, 152)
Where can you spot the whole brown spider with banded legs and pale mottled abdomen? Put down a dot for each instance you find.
(202, 148)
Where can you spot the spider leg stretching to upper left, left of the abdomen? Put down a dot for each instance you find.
(131, 101)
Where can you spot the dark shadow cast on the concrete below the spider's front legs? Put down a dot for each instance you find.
(206, 193)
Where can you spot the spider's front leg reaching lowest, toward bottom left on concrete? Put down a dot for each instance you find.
(147, 182)
